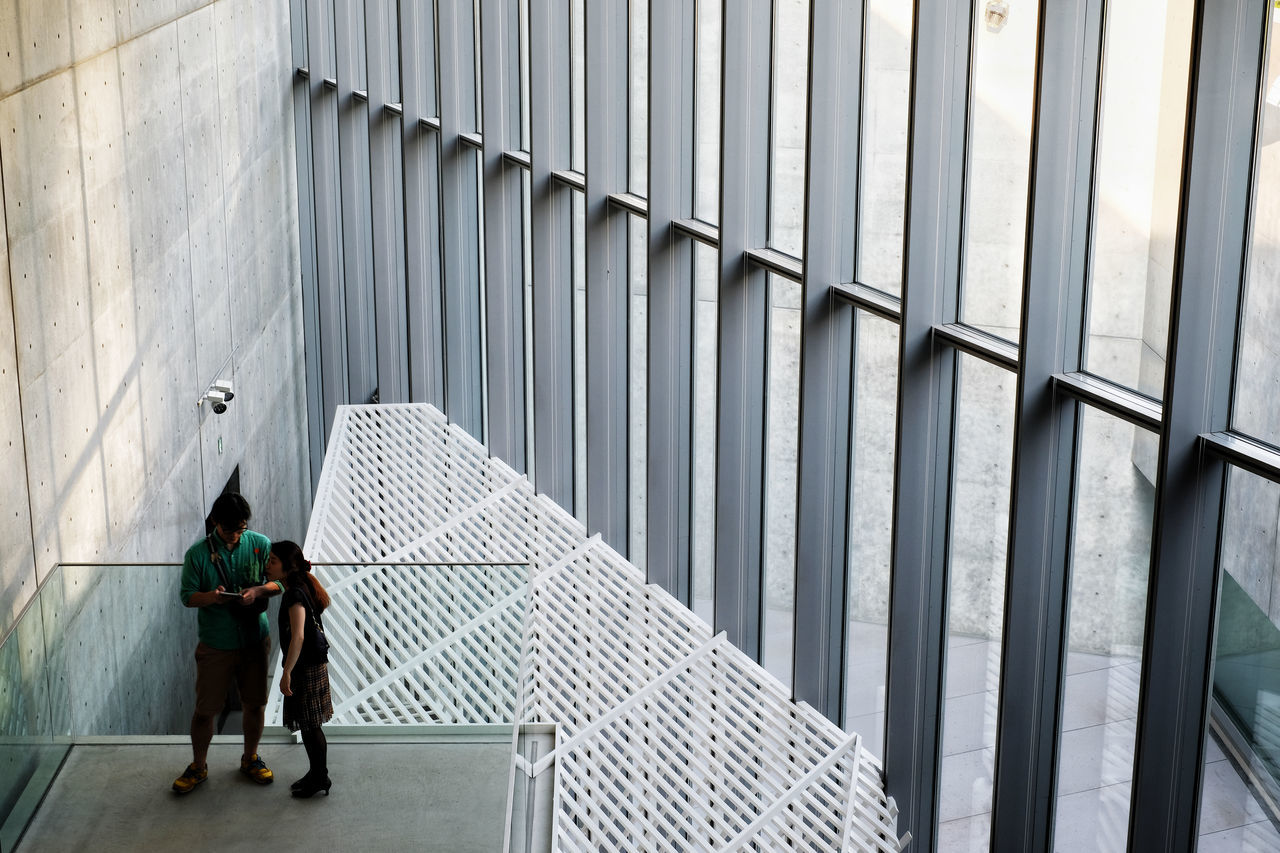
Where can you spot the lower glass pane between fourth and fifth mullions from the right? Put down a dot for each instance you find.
(783, 428)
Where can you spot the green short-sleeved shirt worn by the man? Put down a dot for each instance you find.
(245, 567)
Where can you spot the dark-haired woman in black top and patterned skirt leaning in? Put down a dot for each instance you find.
(304, 673)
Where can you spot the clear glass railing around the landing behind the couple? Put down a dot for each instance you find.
(108, 650)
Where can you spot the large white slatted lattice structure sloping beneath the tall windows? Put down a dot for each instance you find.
(668, 738)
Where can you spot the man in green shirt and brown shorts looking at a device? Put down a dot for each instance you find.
(223, 574)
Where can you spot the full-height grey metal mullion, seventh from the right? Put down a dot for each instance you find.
(609, 286)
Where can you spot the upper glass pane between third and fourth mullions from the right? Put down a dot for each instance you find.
(883, 174)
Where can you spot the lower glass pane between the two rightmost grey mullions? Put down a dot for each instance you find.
(1110, 567)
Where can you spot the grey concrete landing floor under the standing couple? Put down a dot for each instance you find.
(449, 797)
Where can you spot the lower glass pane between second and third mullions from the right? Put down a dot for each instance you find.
(976, 599)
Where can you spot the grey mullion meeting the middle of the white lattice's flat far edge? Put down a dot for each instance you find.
(387, 183)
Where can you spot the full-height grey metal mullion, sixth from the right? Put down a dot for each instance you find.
(671, 298)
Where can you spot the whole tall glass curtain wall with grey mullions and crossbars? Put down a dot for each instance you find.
(1005, 459)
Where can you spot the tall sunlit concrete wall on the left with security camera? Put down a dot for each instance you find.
(150, 209)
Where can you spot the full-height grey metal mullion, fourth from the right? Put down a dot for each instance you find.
(826, 345)
